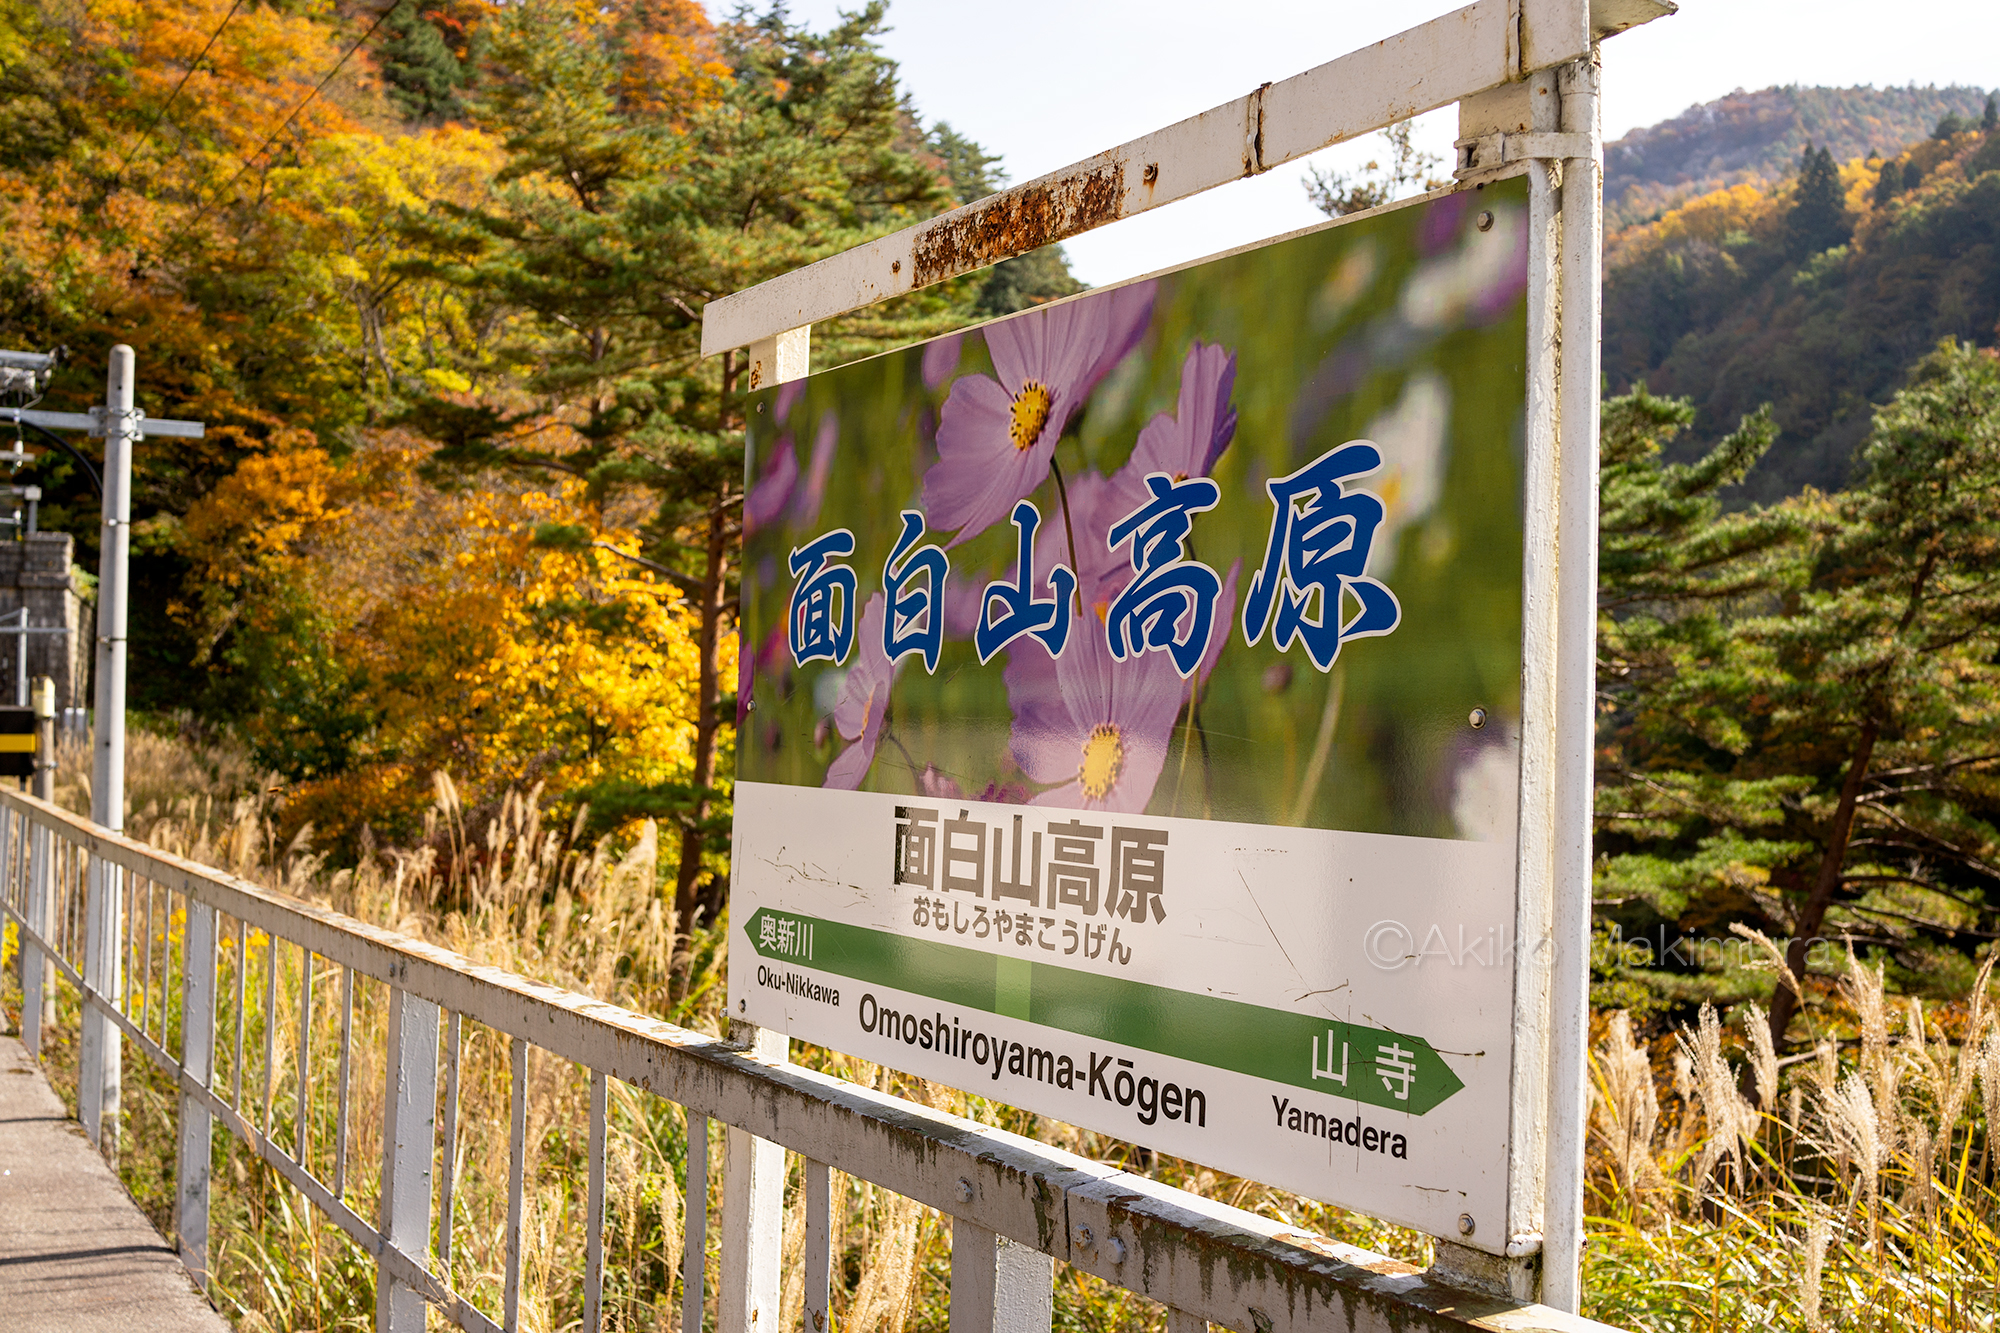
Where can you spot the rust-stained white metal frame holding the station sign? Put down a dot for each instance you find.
(1525, 79)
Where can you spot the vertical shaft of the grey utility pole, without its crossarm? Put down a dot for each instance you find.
(103, 1058)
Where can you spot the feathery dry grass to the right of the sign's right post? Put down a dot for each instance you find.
(1851, 1188)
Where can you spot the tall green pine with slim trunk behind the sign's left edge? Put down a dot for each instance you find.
(809, 151)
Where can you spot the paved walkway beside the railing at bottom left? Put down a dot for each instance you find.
(77, 1256)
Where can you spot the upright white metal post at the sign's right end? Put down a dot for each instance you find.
(1577, 535)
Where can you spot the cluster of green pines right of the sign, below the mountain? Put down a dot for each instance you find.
(1805, 734)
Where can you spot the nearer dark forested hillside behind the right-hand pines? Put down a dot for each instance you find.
(1815, 293)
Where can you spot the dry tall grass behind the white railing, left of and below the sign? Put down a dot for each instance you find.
(507, 888)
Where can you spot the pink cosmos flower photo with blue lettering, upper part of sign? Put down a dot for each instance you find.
(1257, 375)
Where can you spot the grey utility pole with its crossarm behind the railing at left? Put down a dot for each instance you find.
(121, 425)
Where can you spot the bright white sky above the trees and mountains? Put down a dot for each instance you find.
(1047, 83)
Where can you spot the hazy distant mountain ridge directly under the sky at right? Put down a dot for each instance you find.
(1757, 137)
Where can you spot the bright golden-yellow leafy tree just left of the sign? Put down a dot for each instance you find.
(427, 631)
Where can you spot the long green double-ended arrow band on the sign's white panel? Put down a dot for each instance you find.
(1341, 1060)
